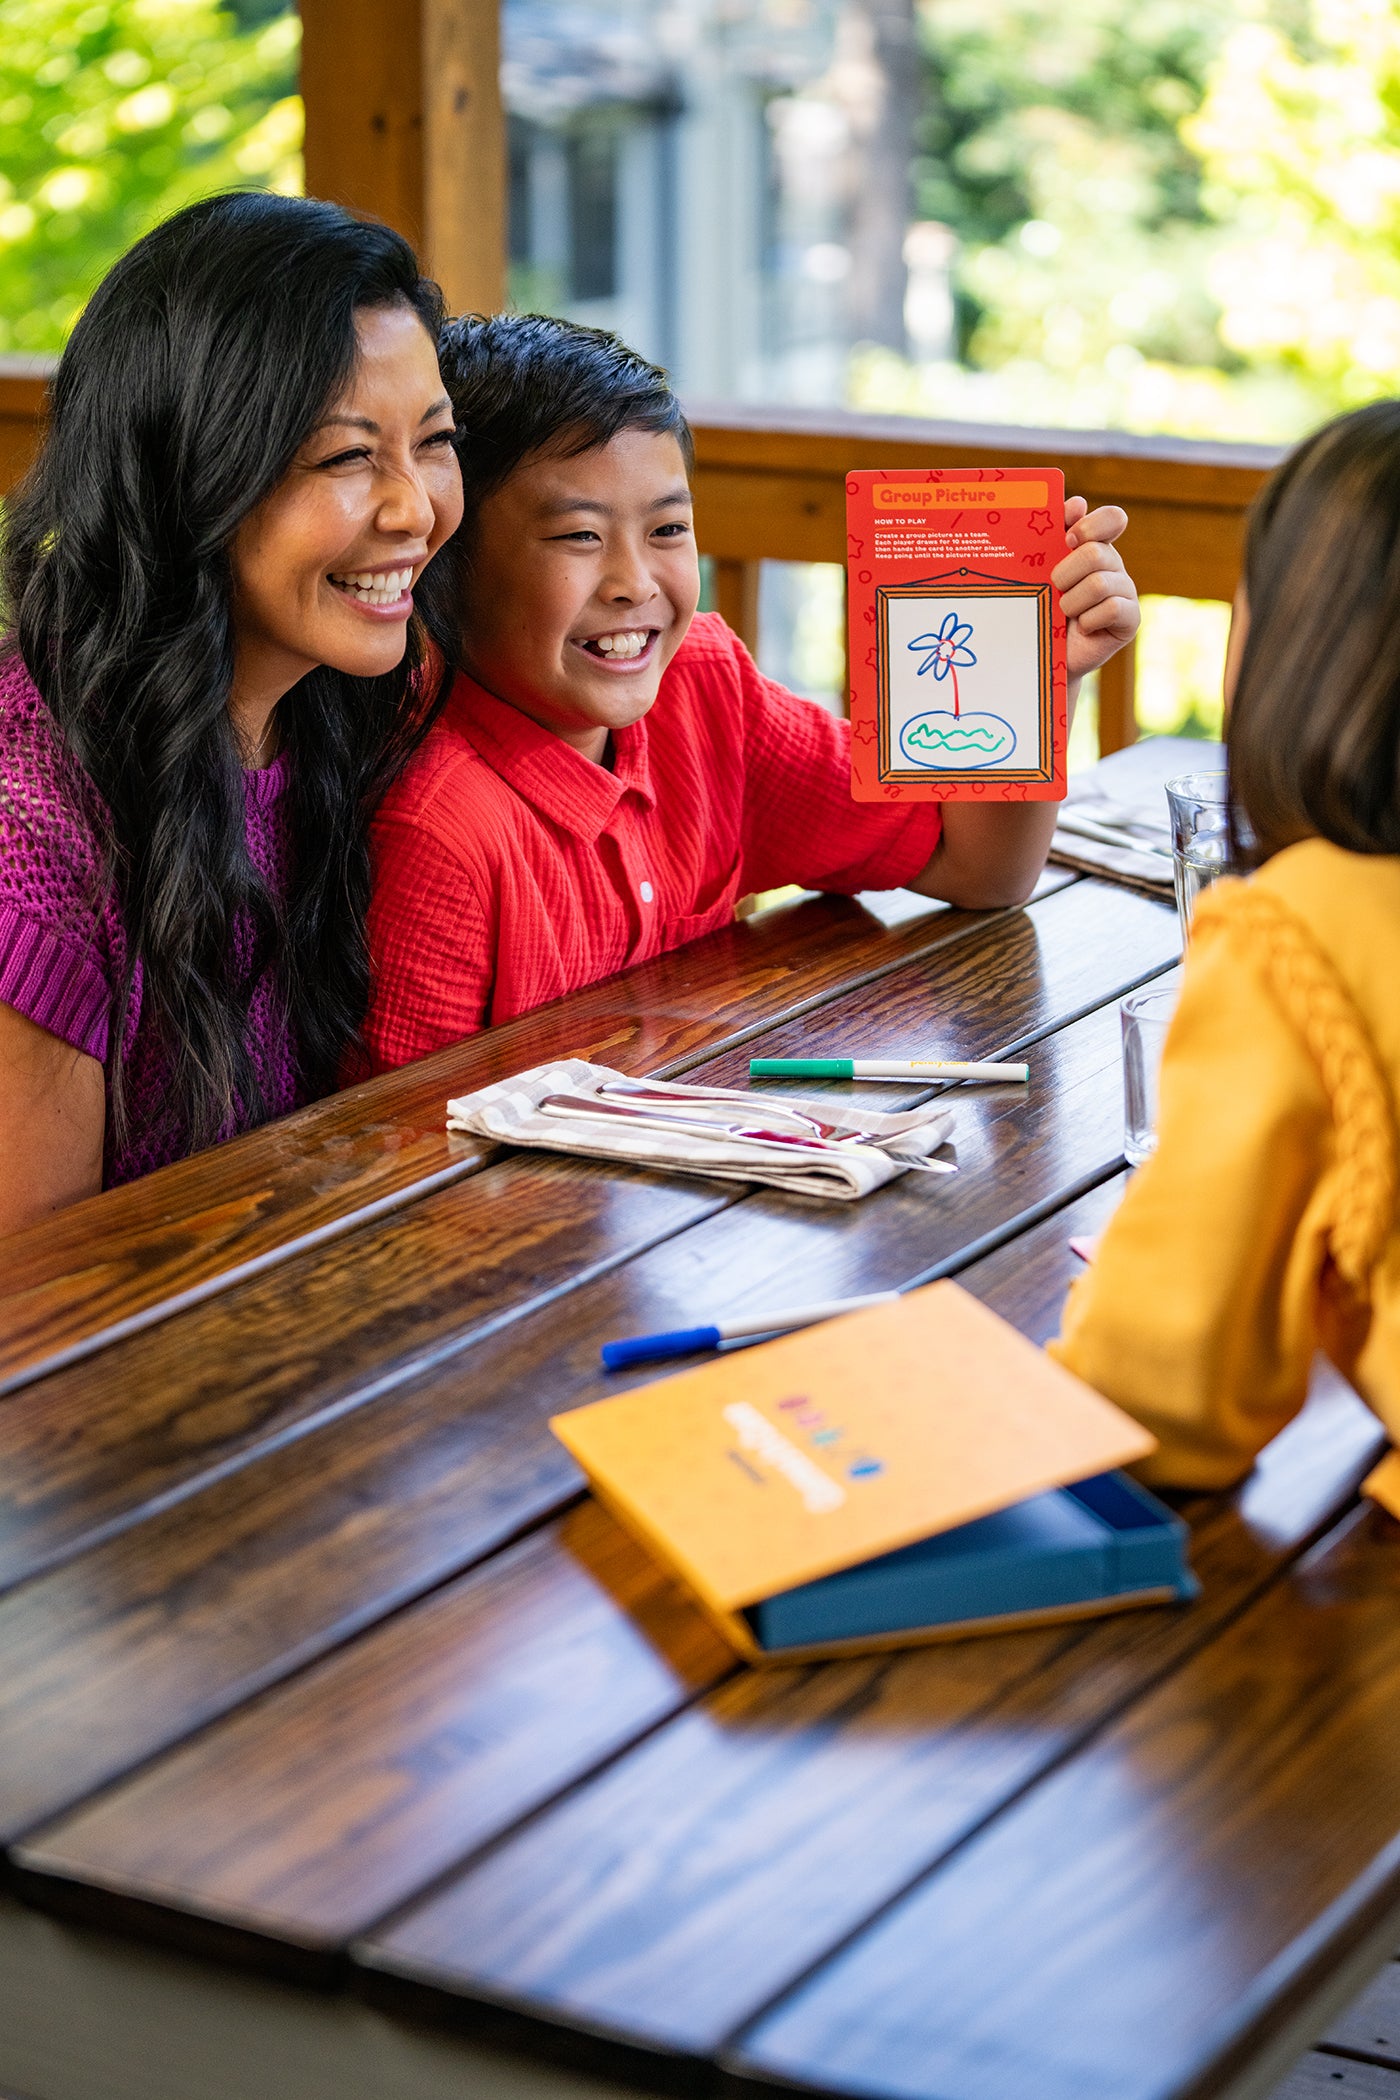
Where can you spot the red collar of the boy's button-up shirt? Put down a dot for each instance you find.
(545, 772)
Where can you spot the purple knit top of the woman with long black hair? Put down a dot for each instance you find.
(62, 933)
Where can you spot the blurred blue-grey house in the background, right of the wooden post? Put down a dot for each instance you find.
(721, 182)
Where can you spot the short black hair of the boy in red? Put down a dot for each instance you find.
(528, 383)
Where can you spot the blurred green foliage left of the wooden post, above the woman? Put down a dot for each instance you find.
(112, 117)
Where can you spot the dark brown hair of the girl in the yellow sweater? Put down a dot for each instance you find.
(1315, 723)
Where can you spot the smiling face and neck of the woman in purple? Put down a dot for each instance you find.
(324, 568)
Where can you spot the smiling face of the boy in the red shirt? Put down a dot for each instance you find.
(582, 585)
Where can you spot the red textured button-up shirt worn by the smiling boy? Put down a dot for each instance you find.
(511, 870)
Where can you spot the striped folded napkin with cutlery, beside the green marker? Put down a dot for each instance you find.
(511, 1114)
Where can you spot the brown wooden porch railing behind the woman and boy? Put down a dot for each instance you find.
(771, 486)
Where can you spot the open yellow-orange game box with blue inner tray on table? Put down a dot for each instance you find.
(908, 1473)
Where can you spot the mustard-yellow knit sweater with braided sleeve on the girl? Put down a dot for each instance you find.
(1265, 1230)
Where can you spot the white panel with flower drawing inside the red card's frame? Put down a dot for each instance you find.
(964, 681)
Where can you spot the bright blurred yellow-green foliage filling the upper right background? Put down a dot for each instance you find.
(1172, 215)
